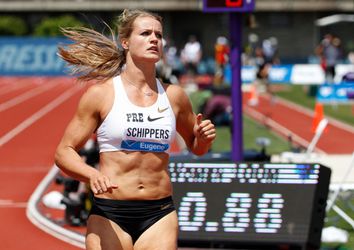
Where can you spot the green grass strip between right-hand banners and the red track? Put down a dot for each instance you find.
(303, 95)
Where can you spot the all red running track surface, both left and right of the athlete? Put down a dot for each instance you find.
(33, 115)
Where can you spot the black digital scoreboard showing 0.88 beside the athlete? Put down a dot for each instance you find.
(250, 205)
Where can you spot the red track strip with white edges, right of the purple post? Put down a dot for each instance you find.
(289, 119)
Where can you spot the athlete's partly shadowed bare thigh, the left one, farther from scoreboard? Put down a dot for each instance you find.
(103, 234)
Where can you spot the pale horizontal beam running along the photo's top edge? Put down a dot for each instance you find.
(261, 5)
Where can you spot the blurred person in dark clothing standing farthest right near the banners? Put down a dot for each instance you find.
(329, 52)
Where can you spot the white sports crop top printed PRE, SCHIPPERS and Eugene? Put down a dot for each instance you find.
(133, 128)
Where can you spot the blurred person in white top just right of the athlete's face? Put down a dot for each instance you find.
(191, 55)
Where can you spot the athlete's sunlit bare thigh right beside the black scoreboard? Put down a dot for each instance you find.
(160, 236)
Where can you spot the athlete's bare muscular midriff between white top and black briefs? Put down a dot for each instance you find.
(139, 175)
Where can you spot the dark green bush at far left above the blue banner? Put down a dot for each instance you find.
(12, 26)
